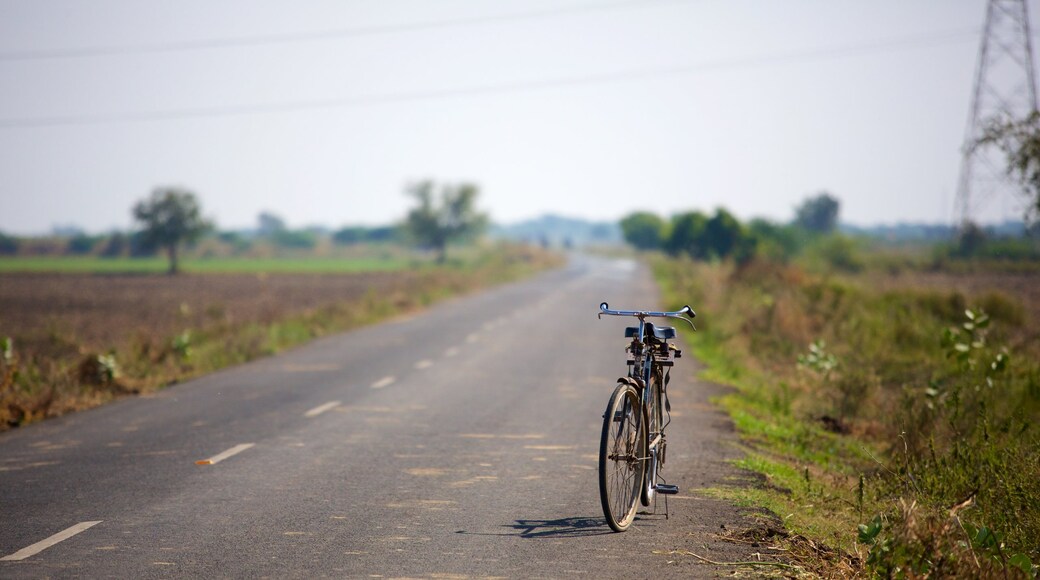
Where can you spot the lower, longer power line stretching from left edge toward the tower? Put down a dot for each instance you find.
(620, 76)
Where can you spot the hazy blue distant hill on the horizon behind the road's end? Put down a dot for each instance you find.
(561, 232)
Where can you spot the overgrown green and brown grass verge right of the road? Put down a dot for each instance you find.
(892, 428)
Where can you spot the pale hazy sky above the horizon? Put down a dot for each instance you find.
(322, 112)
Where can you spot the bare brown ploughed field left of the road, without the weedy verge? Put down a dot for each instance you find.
(99, 313)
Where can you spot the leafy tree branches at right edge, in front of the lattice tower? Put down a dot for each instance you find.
(1021, 142)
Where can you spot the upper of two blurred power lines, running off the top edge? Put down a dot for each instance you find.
(316, 36)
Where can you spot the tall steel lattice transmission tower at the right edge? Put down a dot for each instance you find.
(1005, 90)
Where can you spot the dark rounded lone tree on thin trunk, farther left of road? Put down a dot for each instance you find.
(170, 218)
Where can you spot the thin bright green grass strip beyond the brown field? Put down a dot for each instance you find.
(201, 266)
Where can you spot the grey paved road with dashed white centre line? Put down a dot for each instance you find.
(459, 442)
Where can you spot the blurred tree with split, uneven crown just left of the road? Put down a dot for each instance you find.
(433, 225)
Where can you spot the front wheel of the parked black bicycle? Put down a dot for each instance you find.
(621, 458)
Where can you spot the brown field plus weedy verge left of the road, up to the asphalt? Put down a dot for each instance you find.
(81, 340)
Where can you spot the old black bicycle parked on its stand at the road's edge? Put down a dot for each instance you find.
(632, 451)
